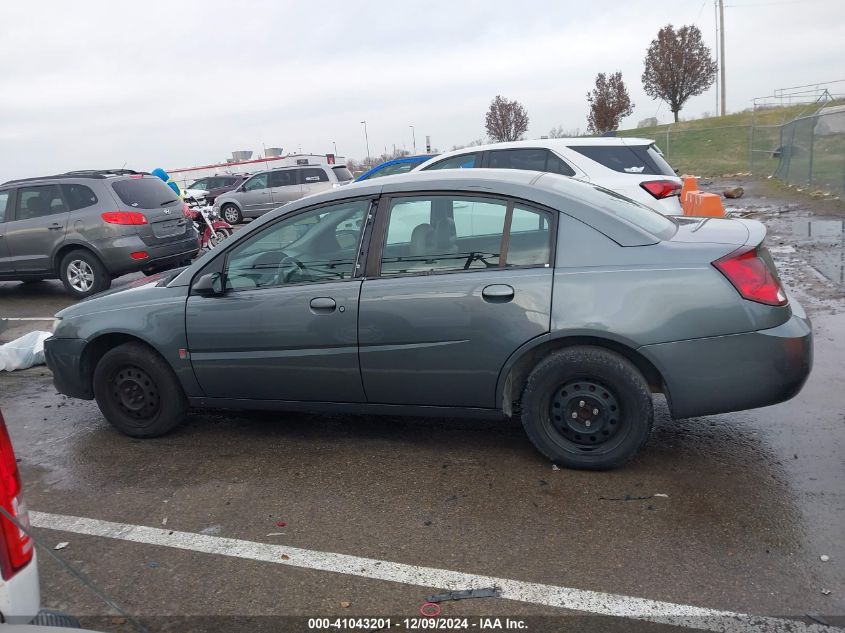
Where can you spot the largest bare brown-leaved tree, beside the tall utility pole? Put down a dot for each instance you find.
(678, 65)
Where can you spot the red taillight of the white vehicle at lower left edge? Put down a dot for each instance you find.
(15, 545)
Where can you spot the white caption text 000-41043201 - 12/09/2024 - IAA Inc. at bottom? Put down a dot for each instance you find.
(412, 624)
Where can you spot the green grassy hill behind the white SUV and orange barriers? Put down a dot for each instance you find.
(723, 145)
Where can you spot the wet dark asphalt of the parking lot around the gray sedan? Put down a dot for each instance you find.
(753, 499)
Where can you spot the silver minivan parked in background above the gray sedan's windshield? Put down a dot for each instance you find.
(267, 190)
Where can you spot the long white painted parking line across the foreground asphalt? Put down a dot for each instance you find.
(533, 593)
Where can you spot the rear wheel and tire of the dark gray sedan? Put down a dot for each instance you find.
(607, 393)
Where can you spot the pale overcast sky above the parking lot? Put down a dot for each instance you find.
(87, 84)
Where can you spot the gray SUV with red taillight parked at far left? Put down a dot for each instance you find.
(87, 227)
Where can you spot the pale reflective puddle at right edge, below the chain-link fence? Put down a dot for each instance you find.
(822, 242)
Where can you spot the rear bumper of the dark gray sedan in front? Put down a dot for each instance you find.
(736, 372)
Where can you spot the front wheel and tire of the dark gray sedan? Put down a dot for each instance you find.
(137, 391)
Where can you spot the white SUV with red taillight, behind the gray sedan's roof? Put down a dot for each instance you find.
(634, 167)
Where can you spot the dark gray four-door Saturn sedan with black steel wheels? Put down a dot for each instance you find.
(480, 293)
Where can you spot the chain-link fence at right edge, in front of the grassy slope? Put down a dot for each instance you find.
(812, 151)
